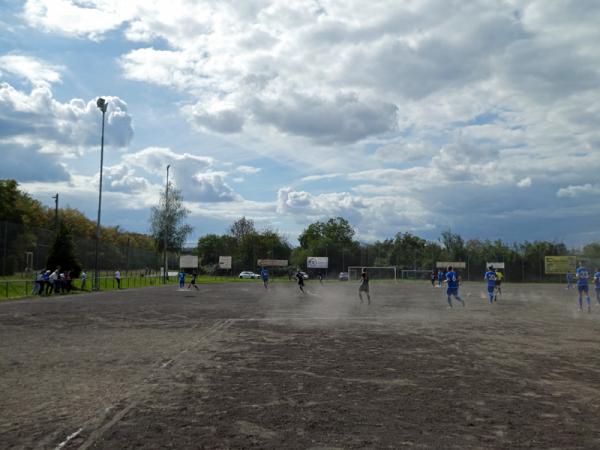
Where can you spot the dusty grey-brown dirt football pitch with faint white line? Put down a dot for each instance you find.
(236, 366)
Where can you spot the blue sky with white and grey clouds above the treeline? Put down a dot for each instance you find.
(479, 117)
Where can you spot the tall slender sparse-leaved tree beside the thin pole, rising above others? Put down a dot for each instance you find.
(167, 219)
